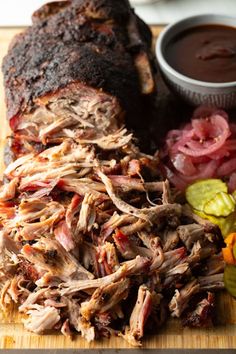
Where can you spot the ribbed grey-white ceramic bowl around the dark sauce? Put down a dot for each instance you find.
(193, 91)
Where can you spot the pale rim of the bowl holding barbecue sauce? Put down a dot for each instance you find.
(164, 64)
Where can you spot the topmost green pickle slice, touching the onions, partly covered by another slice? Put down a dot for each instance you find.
(201, 192)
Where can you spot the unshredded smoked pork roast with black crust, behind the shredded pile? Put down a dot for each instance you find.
(81, 69)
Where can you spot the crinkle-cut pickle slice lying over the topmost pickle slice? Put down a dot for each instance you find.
(222, 204)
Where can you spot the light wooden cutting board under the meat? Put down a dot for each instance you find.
(172, 335)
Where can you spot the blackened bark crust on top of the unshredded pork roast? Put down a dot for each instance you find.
(75, 41)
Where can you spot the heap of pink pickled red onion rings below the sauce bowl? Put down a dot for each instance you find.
(204, 148)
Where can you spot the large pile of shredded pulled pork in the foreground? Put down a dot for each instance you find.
(93, 241)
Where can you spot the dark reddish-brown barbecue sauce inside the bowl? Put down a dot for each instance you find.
(205, 53)
